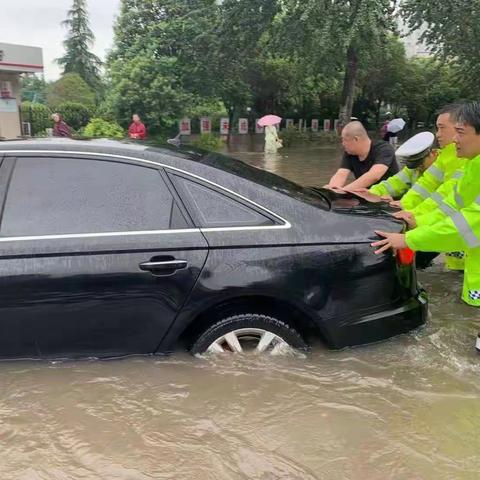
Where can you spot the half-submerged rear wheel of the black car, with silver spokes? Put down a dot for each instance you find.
(259, 332)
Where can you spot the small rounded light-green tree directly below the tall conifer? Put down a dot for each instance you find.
(70, 88)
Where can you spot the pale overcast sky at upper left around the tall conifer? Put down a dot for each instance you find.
(37, 23)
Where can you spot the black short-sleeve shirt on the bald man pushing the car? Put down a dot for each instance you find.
(381, 153)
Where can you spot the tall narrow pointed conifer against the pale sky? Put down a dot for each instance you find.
(78, 58)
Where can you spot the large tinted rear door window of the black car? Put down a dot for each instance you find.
(49, 196)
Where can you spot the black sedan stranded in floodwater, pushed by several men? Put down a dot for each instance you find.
(110, 249)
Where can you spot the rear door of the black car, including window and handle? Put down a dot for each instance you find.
(97, 257)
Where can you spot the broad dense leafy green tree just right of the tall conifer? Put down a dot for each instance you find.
(155, 68)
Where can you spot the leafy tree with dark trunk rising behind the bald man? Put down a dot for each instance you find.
(332, 35)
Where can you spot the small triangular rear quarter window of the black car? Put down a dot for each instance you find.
(211, 208)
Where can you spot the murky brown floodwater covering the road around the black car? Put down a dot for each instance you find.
(408, 408)
